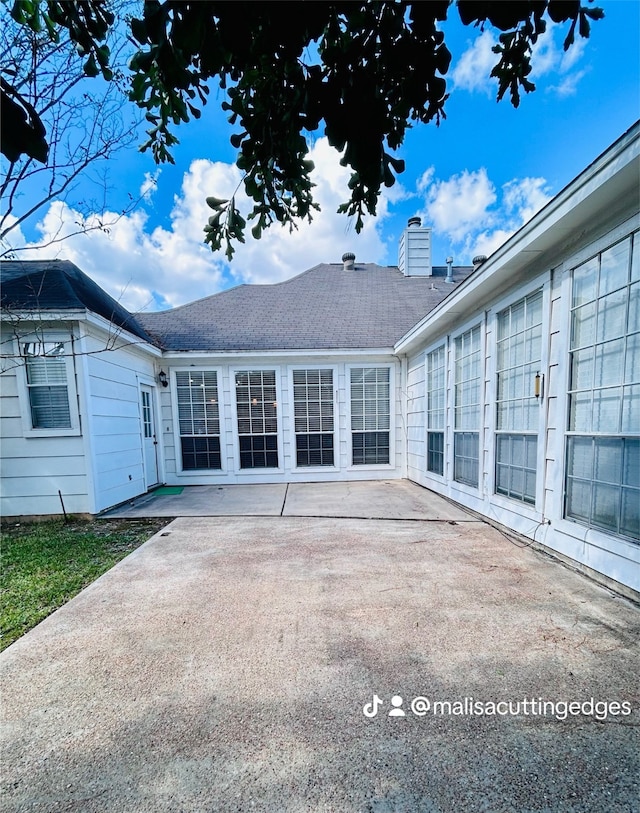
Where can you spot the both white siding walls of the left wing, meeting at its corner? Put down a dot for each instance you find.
(97, 463)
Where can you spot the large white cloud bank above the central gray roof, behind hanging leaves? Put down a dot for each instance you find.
(146, 268)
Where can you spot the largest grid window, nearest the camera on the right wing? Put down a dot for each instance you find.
(603, 442)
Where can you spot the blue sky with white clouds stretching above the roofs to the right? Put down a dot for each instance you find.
(475, 179)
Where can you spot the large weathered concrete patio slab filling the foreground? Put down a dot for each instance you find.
(227, 665)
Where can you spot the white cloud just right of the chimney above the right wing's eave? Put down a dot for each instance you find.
(473, 215)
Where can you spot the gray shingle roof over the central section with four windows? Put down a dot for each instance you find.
(323, 308)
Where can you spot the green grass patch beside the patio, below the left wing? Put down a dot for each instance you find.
(43, 565)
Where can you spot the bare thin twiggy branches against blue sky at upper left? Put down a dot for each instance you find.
(87, 122)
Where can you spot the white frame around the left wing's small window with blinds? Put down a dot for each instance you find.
(23, 387)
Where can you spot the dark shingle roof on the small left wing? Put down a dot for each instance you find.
(60, 285)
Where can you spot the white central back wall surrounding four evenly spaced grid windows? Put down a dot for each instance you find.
(226, 366)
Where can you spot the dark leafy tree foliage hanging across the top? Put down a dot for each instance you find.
(359, 72)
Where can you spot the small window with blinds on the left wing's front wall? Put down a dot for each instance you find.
(46, 370)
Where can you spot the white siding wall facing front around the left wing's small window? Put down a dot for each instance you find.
(36, 464)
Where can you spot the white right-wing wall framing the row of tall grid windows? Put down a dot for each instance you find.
(594, 550)
